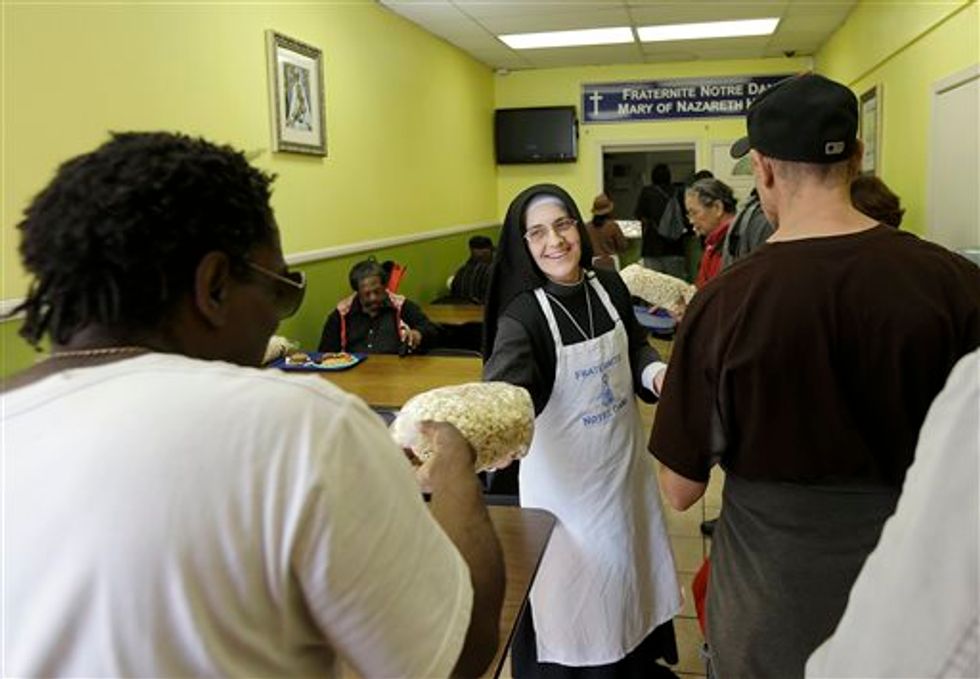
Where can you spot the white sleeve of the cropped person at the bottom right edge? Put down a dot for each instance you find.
(913, 609)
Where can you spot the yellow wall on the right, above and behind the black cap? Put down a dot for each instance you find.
(905, 48)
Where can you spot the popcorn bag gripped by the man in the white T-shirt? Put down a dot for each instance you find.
(496, 418)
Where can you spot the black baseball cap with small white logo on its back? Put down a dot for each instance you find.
(807, 119)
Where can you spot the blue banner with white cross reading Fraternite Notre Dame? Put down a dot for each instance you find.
(671, 99)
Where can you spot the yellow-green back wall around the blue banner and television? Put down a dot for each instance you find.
(563, 86)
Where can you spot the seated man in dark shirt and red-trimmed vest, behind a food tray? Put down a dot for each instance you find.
(374, 320)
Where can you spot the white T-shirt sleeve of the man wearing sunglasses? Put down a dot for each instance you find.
(382, 580)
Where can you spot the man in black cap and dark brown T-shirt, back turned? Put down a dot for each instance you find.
(806, 371)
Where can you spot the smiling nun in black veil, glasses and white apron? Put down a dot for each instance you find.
(606, 589)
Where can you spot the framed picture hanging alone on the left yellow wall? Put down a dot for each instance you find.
(296, 95)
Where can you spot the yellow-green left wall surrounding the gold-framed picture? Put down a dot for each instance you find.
(409, 121)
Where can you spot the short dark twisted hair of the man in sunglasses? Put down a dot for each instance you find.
(117, 235)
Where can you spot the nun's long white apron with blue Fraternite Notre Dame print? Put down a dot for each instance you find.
(607, 577)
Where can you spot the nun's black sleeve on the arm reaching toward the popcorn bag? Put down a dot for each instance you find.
(513, 361)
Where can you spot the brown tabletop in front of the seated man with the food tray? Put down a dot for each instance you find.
(388, 381)
